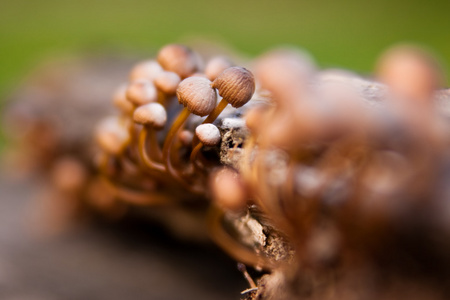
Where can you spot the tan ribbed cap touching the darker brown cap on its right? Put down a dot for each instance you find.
(197, 95)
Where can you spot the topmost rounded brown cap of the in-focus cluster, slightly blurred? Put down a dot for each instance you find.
(179, 59)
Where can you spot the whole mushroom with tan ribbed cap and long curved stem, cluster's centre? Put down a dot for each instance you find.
(197, 97)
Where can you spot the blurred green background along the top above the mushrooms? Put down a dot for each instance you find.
(347, 34)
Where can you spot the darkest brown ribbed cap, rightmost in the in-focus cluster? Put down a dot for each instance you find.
(236, 85)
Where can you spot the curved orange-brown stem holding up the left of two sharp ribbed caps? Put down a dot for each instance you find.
(176, 126)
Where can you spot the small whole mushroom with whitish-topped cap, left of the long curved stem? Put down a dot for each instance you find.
(153, 117)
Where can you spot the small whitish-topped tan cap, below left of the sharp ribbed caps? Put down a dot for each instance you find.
(152, 114)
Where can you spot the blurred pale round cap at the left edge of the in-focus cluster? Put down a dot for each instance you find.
(112, 135)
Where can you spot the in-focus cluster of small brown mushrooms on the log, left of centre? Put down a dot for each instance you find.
(166, 125)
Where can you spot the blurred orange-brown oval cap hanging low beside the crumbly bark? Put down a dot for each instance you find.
(228, 190)
